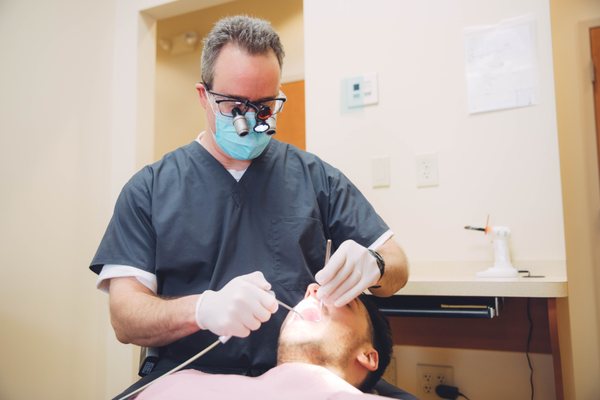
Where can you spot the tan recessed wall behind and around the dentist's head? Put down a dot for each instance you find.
(179, 117)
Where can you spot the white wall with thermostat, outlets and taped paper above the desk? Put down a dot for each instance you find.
(502, 163)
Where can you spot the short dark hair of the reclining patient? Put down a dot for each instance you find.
(381, 336)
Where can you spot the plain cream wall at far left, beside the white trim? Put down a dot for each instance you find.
(55, 79)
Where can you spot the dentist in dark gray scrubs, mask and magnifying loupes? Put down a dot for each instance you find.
(200, 240)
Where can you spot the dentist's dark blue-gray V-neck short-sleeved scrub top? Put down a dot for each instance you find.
(186, 220)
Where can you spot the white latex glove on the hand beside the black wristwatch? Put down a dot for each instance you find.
(349, 272)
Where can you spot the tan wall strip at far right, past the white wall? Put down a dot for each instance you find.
(580, 313)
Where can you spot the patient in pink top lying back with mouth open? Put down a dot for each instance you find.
(330, 353)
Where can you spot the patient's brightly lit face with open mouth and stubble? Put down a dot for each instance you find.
(326, 335)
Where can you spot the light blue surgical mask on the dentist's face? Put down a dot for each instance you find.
(240, 147)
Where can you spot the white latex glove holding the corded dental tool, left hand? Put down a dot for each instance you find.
(239, 308)
